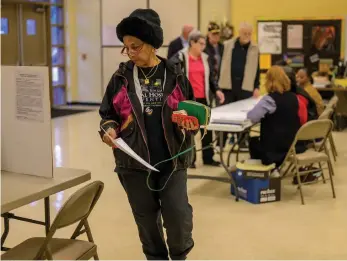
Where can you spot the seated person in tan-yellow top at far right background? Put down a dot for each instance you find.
(304, 81)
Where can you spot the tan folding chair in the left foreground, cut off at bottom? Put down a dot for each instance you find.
(76, 209)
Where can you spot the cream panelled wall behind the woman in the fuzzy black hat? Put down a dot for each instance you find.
(90, 22)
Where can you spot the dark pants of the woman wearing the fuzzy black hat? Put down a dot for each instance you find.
(149, 207)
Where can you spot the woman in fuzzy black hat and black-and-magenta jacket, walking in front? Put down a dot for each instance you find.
(137, 106)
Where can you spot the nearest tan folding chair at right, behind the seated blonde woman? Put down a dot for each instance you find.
(311, 131)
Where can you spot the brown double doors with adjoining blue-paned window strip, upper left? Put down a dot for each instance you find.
(32, 34)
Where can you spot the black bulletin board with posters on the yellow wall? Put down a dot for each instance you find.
(303, 42)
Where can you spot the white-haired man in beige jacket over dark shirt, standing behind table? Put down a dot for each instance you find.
(239, 76)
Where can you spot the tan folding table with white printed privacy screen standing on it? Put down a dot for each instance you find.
(27, 172)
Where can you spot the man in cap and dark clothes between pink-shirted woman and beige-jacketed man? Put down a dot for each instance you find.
(214, 49)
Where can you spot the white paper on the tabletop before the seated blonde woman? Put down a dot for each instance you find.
(233, 113)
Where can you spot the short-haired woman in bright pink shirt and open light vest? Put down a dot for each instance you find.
(196, 67)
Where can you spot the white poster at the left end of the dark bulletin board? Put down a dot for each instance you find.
(270, 37)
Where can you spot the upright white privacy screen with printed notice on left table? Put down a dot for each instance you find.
(26, 121)
